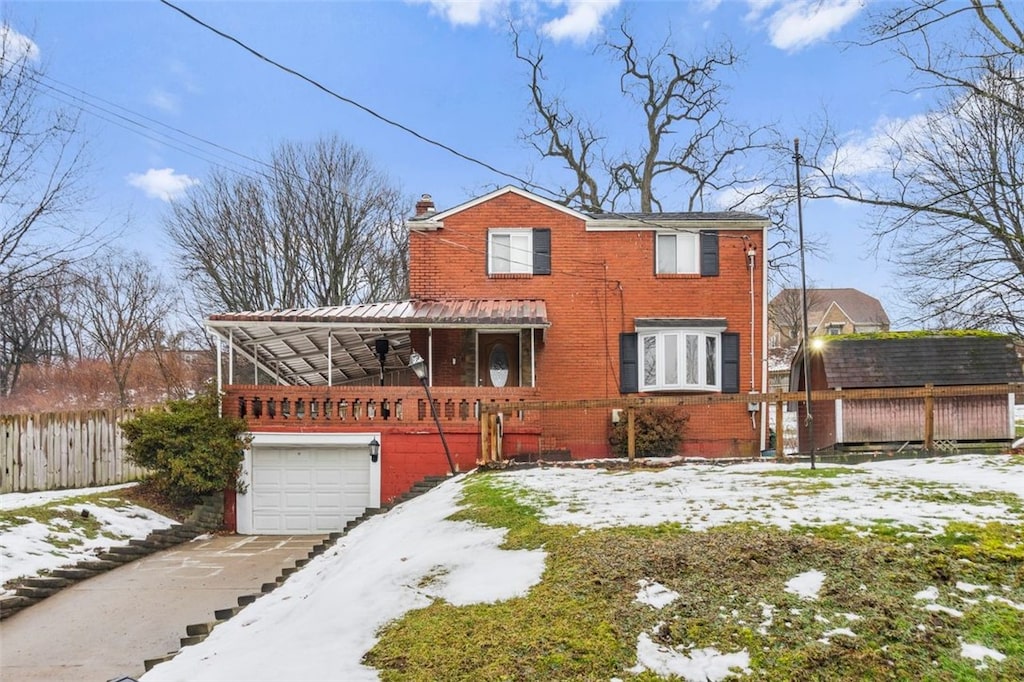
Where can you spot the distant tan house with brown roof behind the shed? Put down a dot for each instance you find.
(830, 313)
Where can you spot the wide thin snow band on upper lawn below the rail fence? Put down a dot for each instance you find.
(702, 496)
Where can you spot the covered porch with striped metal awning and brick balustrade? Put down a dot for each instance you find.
(347, 366)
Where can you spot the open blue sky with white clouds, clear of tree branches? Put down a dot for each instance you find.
(444, 68)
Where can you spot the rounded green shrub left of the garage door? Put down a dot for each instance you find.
(190, 449)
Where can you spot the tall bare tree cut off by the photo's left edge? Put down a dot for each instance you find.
(41, 174)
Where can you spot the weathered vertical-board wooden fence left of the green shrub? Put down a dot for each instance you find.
(64, 450)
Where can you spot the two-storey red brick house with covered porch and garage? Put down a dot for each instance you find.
(514, 297)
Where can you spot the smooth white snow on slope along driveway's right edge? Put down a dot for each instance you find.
(322, 621)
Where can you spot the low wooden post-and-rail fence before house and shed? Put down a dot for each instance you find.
(921, 403)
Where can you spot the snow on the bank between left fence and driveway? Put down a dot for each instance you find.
(32, 548)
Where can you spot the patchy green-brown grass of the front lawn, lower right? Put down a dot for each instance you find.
(582, 622)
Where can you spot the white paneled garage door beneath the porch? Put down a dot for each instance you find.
(308, 490)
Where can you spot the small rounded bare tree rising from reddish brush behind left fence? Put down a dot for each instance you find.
(122, 307)
